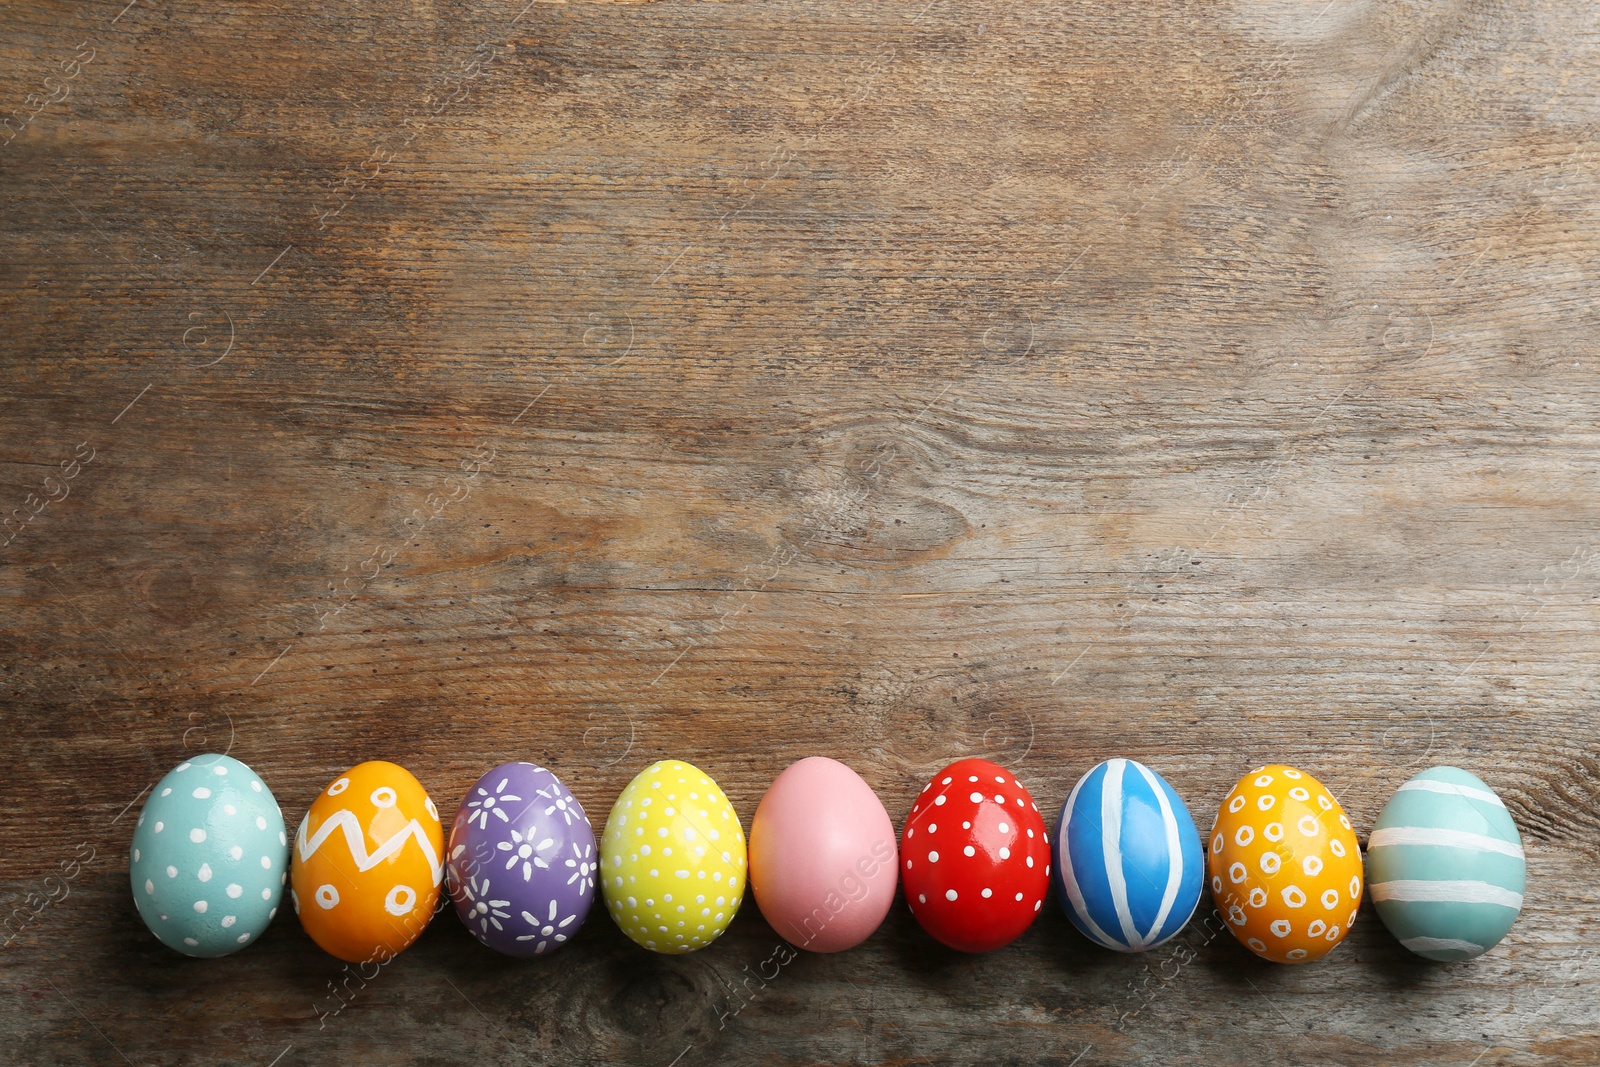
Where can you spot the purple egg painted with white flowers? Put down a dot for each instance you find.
(522, 861)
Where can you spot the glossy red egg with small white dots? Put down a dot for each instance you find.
(975, 857)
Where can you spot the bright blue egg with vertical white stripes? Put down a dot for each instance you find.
(1129, 860)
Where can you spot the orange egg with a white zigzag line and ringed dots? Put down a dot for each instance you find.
(367, 863)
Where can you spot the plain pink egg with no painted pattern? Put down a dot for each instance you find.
(823, 857)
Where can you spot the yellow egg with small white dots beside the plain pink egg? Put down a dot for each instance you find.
(673, 860)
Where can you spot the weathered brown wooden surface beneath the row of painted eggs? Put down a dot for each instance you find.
(1202, 383)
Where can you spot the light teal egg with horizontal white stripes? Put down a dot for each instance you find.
(1446, 866)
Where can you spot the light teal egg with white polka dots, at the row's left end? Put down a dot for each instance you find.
(209, 858)
